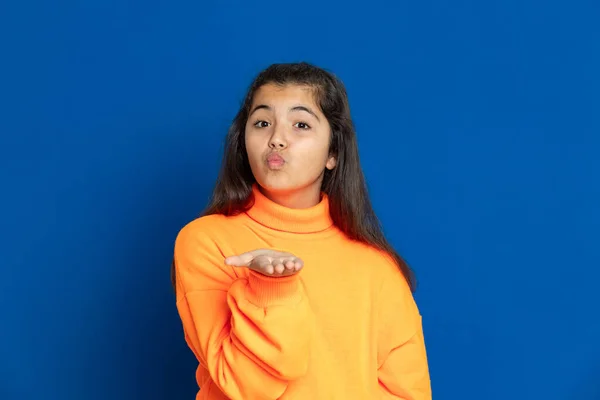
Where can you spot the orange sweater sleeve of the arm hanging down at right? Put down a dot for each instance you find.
(403, 368)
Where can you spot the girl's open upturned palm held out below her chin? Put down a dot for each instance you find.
(267, 262)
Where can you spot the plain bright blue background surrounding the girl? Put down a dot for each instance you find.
(478, 125)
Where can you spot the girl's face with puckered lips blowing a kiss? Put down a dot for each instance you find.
(287, 140)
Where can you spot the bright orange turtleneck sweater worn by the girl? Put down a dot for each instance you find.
(345, 327)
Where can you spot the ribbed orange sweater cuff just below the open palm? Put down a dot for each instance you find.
(267, 290)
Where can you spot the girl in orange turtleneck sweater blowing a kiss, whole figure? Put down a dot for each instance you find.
(287, 287)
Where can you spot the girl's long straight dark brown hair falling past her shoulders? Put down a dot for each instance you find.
(350, 206)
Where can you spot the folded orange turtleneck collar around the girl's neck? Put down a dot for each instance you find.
(294, 220)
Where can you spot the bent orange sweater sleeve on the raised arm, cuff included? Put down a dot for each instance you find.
(250, 332)
